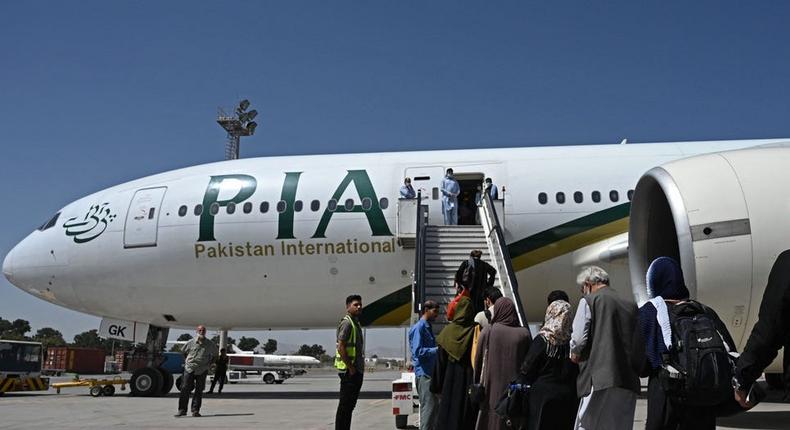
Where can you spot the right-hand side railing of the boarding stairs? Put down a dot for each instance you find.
(501, 254)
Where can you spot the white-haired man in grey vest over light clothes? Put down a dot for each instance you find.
(607, 345)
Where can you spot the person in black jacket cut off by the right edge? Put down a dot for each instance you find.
(771, 332)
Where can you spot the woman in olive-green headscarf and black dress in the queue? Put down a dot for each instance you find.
(453, 372)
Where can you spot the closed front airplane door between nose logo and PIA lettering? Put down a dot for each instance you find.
(142, 220)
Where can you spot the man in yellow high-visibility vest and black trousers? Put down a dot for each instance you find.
(349, 361)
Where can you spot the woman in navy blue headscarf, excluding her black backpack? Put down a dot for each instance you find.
(666, 288)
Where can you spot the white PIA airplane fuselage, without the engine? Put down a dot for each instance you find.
(131, 252)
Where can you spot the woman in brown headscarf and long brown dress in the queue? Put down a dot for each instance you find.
(501, 348)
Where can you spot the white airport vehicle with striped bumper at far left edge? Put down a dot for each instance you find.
(20, 366)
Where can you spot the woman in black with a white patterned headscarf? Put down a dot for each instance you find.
(549, 371)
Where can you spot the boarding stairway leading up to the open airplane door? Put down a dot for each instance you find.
(440, 249)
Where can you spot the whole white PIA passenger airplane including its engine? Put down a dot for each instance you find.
(279, 242)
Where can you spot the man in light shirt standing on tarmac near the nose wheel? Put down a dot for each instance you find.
(200, 353)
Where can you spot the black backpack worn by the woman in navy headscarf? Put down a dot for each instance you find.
(701, 368)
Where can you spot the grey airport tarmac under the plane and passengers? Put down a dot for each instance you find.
(303, 402)
